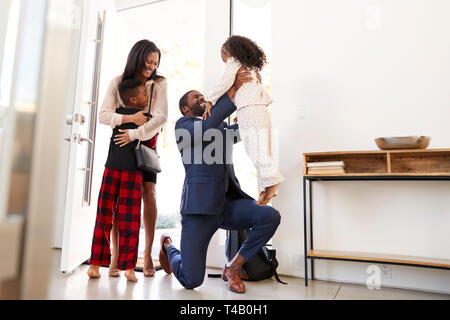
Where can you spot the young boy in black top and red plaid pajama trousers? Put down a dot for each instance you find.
(120, 193)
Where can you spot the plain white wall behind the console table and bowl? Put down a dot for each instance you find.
(362, 69)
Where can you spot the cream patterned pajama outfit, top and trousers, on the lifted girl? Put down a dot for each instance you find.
(255, 123)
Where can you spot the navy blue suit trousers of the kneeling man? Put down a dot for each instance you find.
(189, 265)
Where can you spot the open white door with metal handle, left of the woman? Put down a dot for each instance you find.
(80, 210)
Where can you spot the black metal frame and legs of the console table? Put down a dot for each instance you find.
(310, 179)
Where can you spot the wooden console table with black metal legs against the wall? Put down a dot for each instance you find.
(433, 164)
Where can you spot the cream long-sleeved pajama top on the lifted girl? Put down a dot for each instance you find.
(250, 93)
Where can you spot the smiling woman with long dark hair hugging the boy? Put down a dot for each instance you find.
(142, 63)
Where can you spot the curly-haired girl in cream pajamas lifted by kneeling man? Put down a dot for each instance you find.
(251, 100)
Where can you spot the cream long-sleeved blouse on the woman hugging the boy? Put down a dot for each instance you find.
(112, 101)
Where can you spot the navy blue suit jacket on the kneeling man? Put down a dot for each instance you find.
(204, 184)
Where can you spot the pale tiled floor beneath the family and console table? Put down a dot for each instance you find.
(77, 286)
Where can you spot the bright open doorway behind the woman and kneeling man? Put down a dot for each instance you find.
(181, 39)
